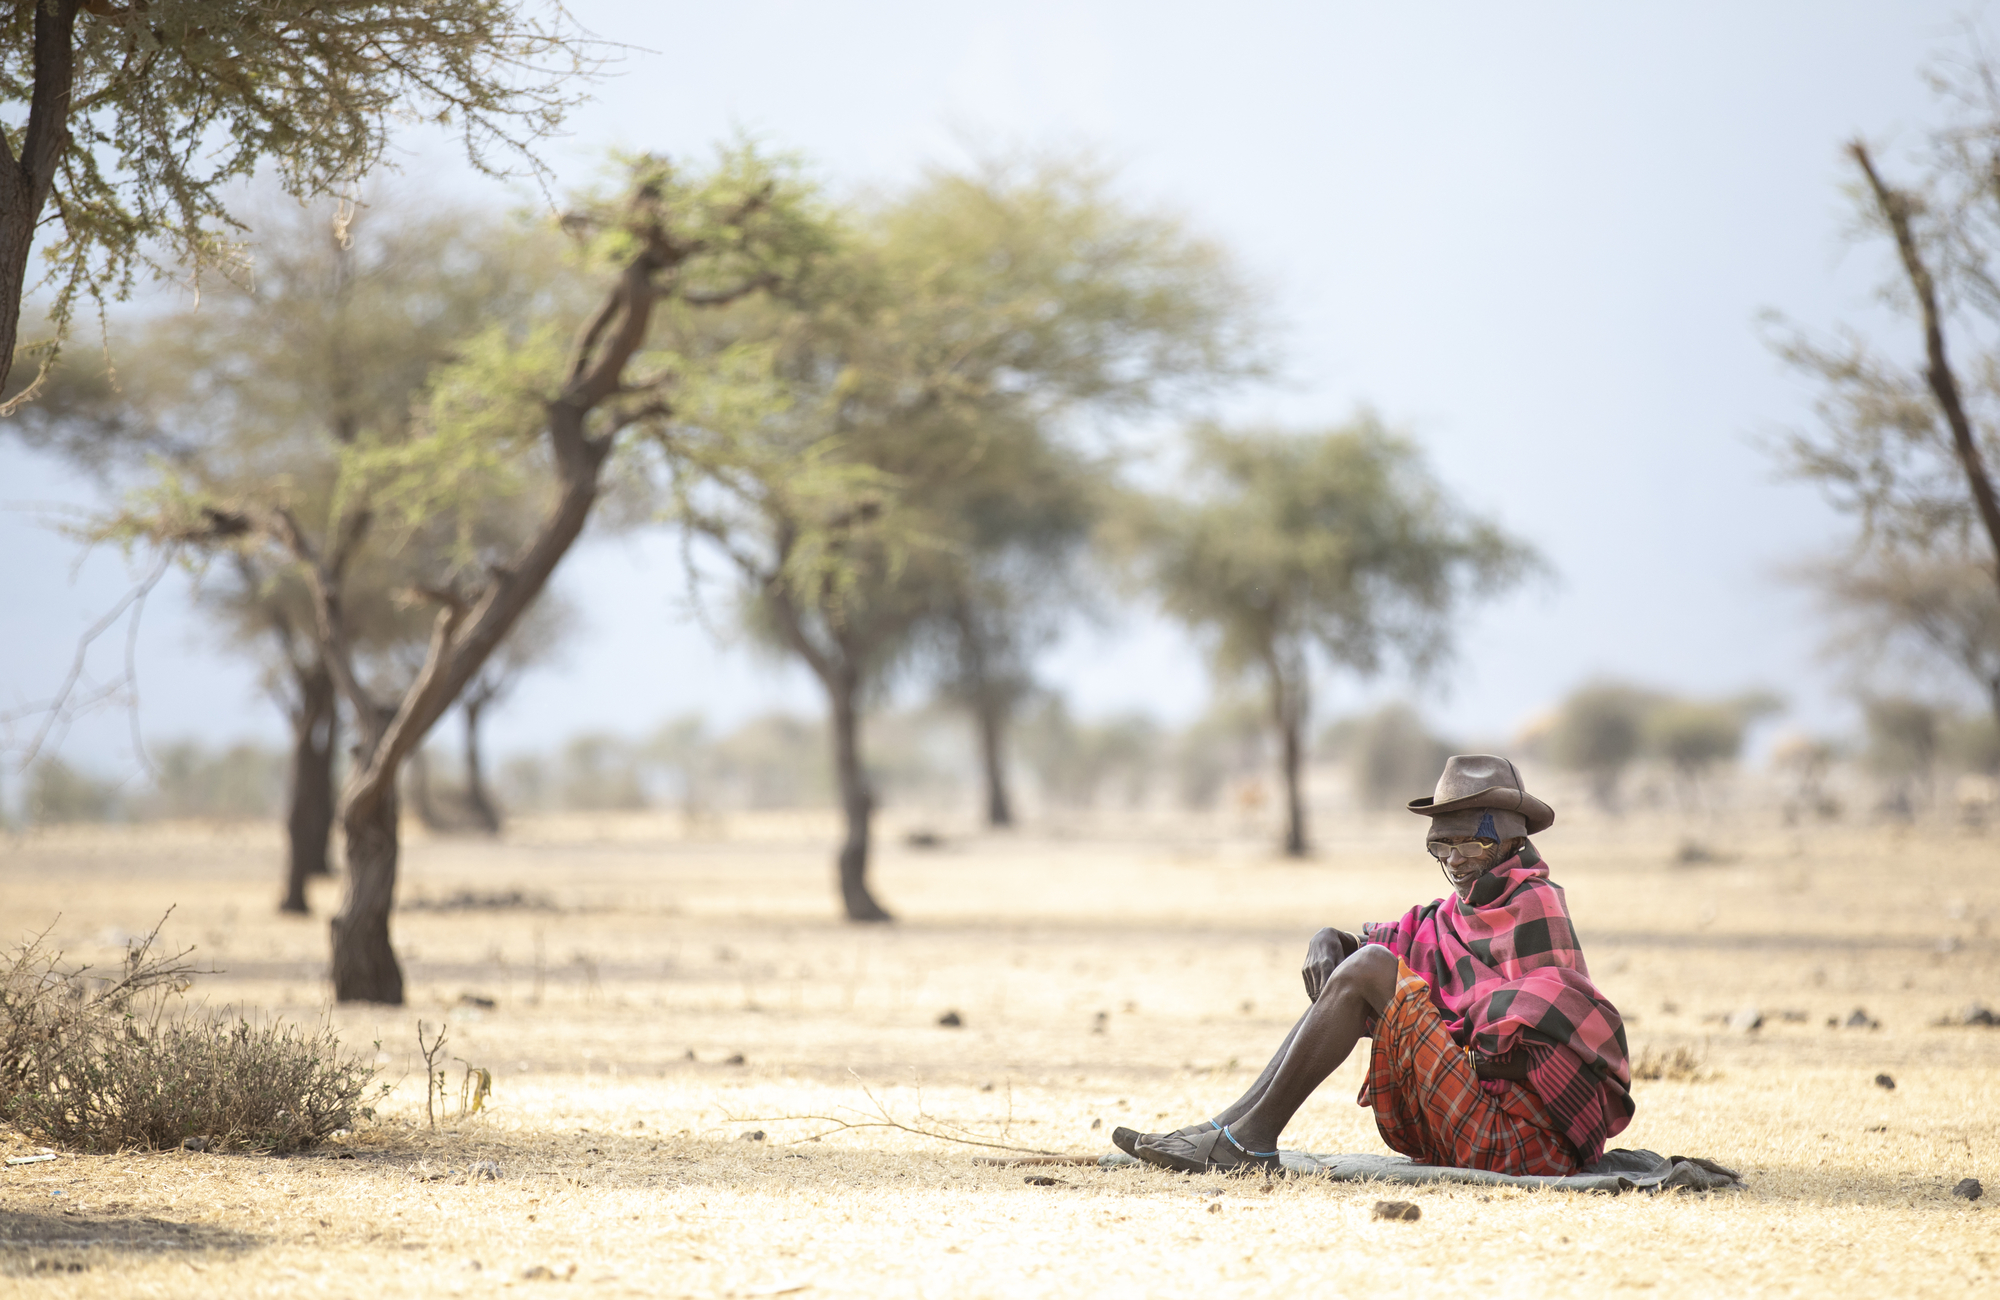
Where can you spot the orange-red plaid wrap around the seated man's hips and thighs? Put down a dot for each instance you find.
(1431, 1107)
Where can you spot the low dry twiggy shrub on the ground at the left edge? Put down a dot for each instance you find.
(105, 1063)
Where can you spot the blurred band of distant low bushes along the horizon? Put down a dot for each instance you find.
(1631, 749)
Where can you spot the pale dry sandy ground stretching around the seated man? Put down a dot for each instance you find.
(657, 999)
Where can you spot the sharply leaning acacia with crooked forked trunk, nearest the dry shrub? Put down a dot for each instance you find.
(517, 409)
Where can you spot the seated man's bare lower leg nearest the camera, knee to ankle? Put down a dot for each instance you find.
(1315, 1049)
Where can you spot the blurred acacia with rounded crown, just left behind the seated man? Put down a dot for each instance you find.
(1337, 545)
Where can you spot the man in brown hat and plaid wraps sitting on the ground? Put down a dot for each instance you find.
(1493, 1049)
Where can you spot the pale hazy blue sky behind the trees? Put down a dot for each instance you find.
(1537, 237)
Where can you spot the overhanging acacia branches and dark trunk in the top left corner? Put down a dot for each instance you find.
(127, 123)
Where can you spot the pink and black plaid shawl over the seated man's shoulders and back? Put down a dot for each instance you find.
(1507, 973)
